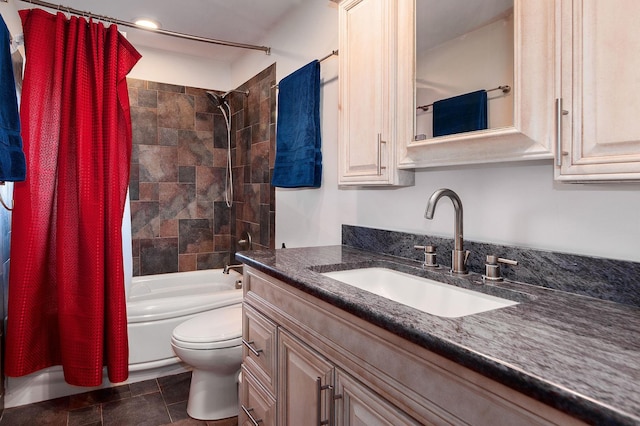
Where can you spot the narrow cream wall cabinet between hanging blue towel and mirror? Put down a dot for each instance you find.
(370, 61)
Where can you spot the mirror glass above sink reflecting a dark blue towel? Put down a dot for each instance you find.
(463, 47)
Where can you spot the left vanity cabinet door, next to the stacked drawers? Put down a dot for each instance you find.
(305, 384)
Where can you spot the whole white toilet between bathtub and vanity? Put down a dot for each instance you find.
(211, 343)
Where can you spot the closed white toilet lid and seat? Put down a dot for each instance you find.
(216, 329)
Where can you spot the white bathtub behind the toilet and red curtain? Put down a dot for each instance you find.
(156, 304)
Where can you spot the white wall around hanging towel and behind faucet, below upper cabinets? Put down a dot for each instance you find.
(514, 204)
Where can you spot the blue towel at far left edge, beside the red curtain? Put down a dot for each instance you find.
(12, 162)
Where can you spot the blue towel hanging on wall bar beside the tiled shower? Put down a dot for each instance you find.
(298, 162)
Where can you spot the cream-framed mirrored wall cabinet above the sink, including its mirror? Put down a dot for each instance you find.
(503, 47)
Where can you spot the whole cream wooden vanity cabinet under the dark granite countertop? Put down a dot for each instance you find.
(335, 368)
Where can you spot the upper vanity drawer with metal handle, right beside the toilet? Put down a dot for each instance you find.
(259, 346)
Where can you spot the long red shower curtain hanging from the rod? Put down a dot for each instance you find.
(66, 282)
